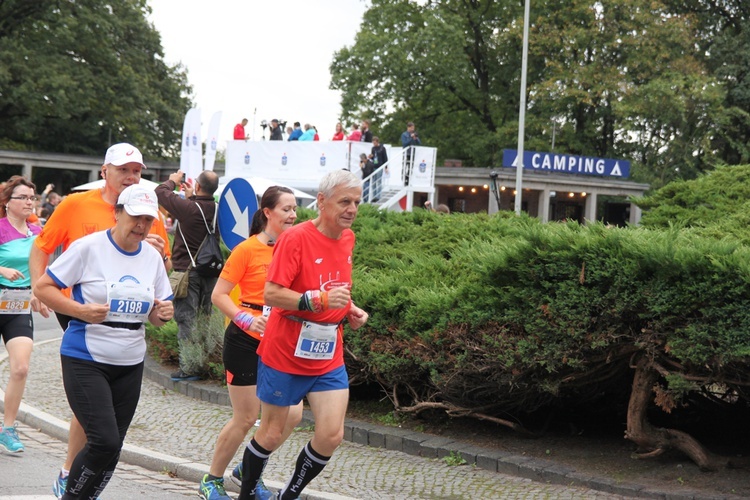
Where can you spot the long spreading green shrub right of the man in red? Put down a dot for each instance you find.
(503, 314)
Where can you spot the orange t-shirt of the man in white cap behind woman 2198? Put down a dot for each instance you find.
(81, 214)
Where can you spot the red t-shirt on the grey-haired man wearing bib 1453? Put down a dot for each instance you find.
(304, 259)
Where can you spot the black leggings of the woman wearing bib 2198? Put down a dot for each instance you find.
(103, 398)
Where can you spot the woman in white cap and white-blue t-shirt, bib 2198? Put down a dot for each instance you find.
(117, 284)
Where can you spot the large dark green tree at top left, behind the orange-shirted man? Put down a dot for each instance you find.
(77, 76)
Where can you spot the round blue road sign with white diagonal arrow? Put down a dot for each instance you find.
(237, 205)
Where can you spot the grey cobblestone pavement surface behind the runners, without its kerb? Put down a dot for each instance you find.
(174, 424)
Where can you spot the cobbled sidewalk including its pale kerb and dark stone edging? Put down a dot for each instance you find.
(373, 462)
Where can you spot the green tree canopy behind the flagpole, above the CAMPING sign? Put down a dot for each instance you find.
(632, 79)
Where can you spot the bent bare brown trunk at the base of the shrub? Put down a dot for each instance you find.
(653, 440)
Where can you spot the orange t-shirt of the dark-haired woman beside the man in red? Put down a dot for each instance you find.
(247, 267)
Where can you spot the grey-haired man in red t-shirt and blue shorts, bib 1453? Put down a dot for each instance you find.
(309, 289)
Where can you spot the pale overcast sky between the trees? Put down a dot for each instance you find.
(259, 59)
